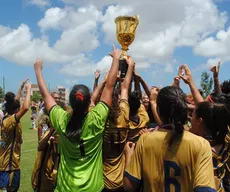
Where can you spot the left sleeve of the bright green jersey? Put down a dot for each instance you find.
(58, 118)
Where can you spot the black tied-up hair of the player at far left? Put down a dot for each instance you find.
(11, 104)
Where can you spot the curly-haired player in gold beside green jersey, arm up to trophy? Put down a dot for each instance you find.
(115, 136)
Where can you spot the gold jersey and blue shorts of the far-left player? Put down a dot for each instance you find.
(10, 152)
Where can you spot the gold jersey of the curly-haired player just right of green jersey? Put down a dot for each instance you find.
(114, 141)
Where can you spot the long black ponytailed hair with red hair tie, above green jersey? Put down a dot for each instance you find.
(79, 100)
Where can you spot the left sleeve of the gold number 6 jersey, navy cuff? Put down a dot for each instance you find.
(133, 170)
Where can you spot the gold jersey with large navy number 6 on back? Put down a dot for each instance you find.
(185, 167)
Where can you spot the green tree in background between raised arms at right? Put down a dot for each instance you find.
(206, 83)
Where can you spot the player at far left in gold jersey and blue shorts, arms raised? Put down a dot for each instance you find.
(11, 139)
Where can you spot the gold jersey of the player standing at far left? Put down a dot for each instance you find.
(10, 144)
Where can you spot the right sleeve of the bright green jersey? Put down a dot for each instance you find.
(98, 116)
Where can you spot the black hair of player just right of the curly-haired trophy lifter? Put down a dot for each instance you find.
(134, 102)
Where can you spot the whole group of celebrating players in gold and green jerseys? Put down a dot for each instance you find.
(117, 138)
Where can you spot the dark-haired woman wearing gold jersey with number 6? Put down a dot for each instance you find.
(170, 159)
